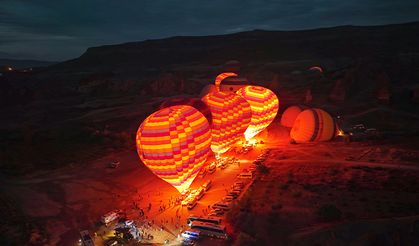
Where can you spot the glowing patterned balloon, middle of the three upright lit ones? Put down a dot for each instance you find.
(231, 116)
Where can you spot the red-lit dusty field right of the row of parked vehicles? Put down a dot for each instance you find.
(314, 186)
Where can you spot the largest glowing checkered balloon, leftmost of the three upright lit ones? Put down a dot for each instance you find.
(174, 143)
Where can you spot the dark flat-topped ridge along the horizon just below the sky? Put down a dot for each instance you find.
(253, 46)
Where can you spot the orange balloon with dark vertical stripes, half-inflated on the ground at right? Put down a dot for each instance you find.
(313, 125)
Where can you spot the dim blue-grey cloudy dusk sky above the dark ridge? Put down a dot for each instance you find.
(64, 29)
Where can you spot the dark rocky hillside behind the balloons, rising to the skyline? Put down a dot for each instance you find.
(100, 98)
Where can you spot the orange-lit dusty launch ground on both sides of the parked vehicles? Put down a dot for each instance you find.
(360, 180)
